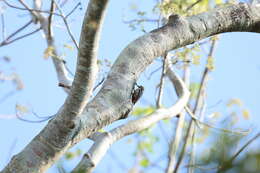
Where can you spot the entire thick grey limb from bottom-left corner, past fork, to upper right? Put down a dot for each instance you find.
(114, 98)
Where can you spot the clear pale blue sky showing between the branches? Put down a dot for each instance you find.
(236, 76)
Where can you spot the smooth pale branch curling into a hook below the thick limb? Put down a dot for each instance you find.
(103, 143)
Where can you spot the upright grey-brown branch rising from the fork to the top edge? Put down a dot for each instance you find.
(87, 59)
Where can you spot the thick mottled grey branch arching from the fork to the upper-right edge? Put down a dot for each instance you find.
(141, 52)
